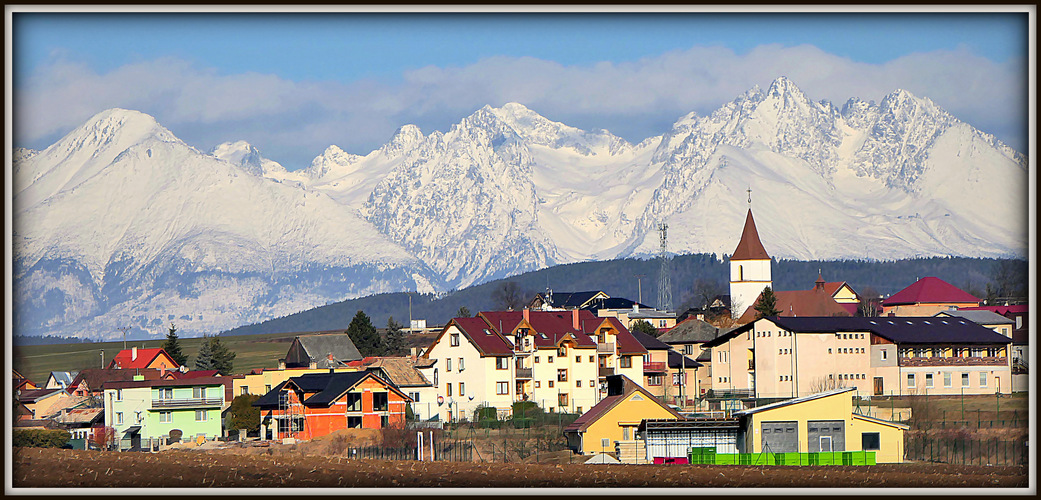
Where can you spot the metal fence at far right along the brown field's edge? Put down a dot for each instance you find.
(968, 452)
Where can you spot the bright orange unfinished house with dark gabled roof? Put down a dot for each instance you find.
(317, 405)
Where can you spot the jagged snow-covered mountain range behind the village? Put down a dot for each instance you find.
(121, 223)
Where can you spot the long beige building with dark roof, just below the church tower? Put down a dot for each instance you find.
(777, 358)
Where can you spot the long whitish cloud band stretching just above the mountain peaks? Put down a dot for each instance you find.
(294, 121)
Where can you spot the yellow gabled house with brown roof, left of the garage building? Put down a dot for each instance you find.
(617, 417)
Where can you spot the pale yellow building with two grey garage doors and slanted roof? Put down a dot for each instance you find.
(821, 422)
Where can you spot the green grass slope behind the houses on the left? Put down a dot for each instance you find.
(251, 352)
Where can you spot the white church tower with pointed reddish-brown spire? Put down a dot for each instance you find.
(750, 269)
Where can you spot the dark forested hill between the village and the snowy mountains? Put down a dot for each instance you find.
(692, 277)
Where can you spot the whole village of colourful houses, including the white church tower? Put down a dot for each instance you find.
(756, 371)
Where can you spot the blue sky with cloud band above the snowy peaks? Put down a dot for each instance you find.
(293, 84)
